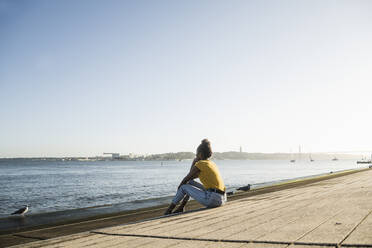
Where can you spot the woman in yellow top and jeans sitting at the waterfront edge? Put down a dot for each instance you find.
(211, 193)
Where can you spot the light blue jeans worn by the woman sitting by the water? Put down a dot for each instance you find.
(196, 191)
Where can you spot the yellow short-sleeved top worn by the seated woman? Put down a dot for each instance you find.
(209, 175)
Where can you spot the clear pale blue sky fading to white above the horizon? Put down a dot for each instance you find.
(79, 78)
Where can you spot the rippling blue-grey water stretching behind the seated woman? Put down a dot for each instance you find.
(49, 186)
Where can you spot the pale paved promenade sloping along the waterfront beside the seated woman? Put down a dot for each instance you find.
(333, 213)
